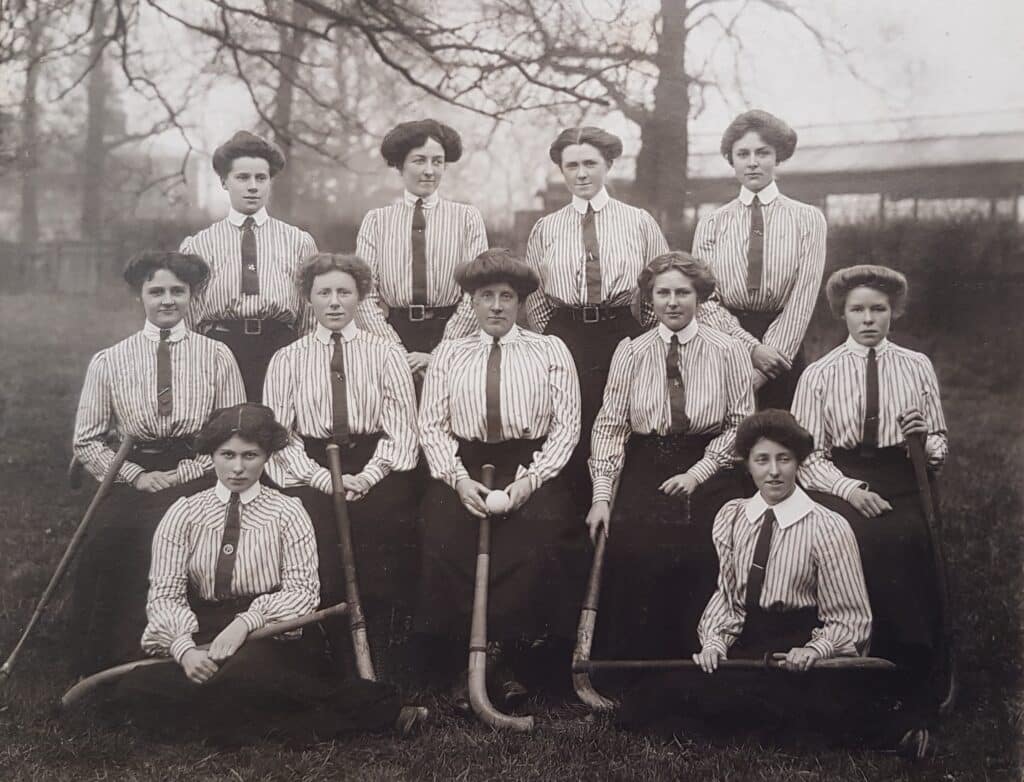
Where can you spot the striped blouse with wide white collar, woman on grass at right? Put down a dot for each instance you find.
(814, 561)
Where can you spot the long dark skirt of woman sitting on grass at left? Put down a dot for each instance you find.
(269, 688)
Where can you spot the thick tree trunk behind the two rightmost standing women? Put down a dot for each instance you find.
(661, 173)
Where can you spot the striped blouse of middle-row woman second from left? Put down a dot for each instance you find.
(378, 392)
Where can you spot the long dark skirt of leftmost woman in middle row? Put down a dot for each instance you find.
(113, 576)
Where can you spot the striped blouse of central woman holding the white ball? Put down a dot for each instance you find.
(540, 398)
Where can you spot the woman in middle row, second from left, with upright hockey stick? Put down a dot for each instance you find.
(344, 385)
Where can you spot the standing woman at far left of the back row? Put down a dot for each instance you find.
(251, 303)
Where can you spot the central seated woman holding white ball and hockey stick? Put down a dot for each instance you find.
(510, 399)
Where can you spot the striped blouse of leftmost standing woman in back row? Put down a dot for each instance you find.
(281, 250)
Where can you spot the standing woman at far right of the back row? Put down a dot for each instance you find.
(769, 253)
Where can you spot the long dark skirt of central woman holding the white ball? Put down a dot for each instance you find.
(530, 595)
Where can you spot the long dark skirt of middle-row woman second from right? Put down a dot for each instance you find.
(661, 567)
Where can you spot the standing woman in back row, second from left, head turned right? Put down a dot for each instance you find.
(414, 246)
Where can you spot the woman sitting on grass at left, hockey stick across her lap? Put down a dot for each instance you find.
(226, 562)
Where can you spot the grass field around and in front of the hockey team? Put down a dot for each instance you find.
(48, 342)
